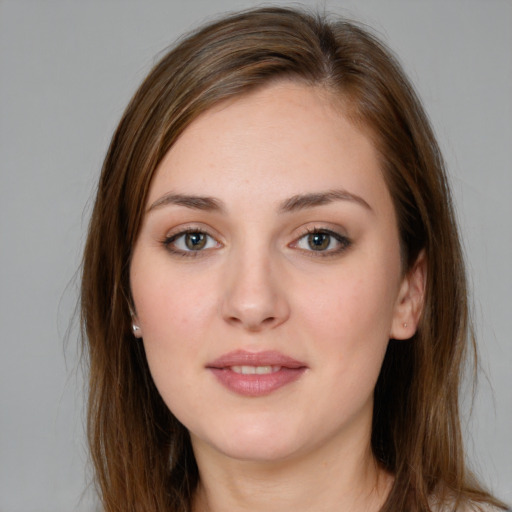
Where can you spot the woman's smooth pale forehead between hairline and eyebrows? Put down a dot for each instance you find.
(284, 139)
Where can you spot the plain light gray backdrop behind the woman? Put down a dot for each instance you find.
(68, 68)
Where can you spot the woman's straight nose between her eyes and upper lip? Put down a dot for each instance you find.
(254, 296)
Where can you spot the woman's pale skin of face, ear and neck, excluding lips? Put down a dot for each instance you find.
(269, 227)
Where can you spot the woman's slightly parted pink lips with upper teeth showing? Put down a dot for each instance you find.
(256, 373)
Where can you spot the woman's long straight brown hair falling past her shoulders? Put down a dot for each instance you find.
(141, 453)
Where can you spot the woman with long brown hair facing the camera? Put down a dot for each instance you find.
(273, 290)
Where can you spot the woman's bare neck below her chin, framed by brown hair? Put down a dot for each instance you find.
(326, 479)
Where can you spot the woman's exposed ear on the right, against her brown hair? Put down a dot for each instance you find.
(409, 303)
